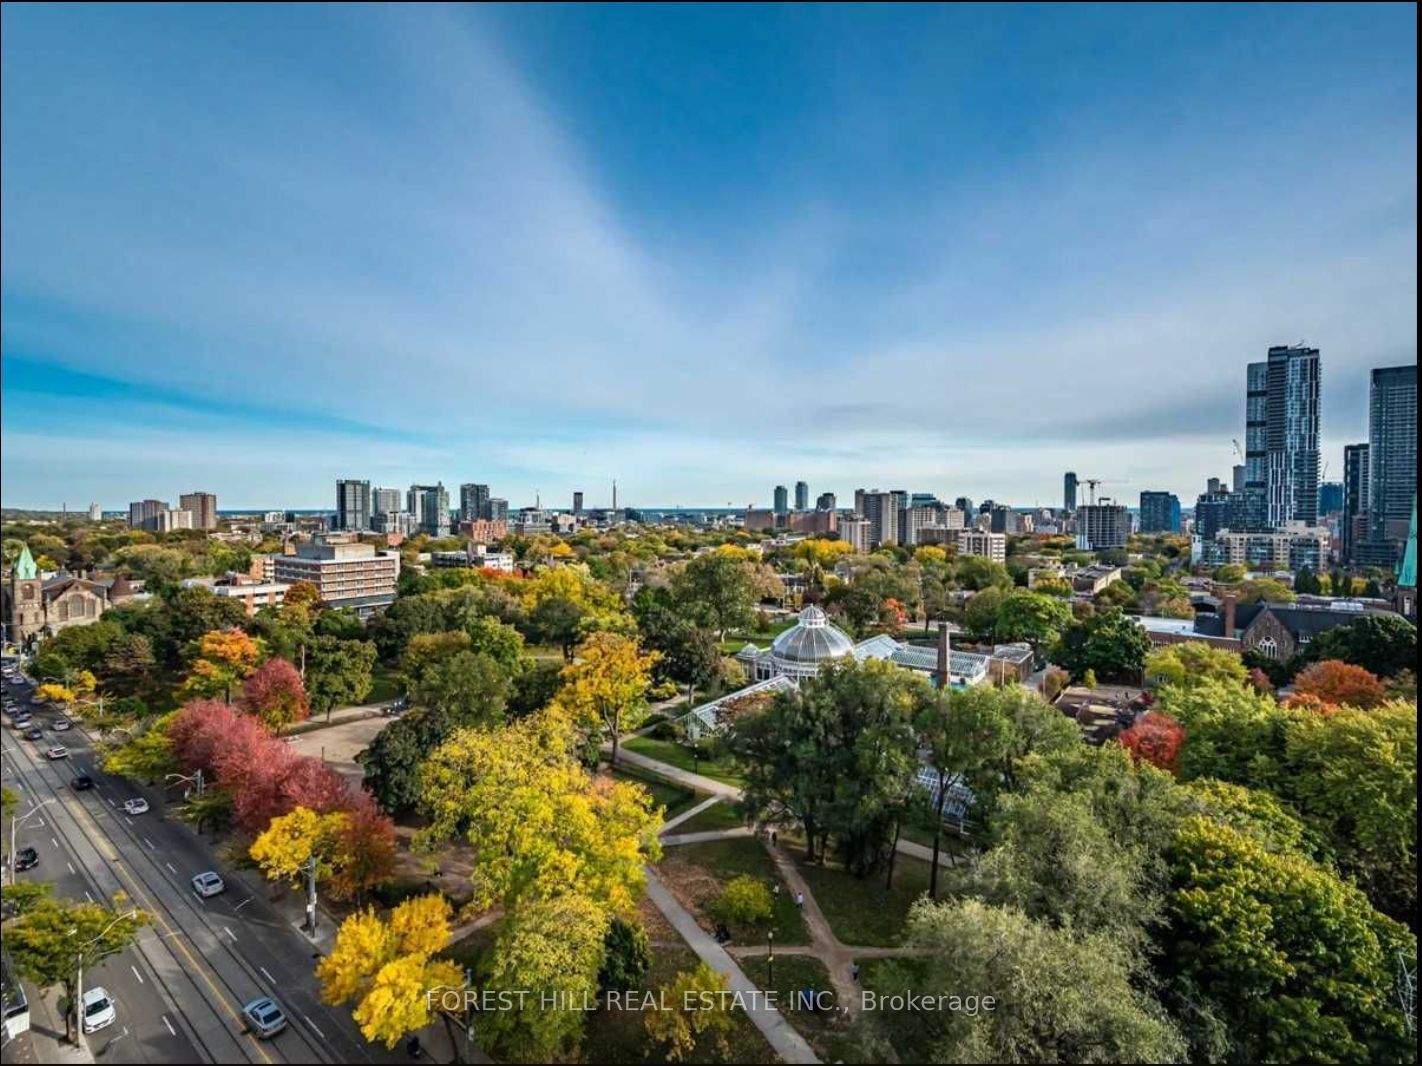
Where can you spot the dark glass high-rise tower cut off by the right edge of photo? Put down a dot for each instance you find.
(1393, 458)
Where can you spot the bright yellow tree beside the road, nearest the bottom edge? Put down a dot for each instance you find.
(389, 969)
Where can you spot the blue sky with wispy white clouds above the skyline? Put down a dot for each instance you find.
(703, 251)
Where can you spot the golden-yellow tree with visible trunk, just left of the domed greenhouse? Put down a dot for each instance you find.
(606, 686)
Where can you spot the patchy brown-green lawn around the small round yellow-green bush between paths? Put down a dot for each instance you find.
(699, 873)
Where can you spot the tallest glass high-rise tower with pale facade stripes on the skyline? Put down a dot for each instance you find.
(1282, 438)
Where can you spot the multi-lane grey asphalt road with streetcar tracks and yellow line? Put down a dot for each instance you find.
(181, 987)
